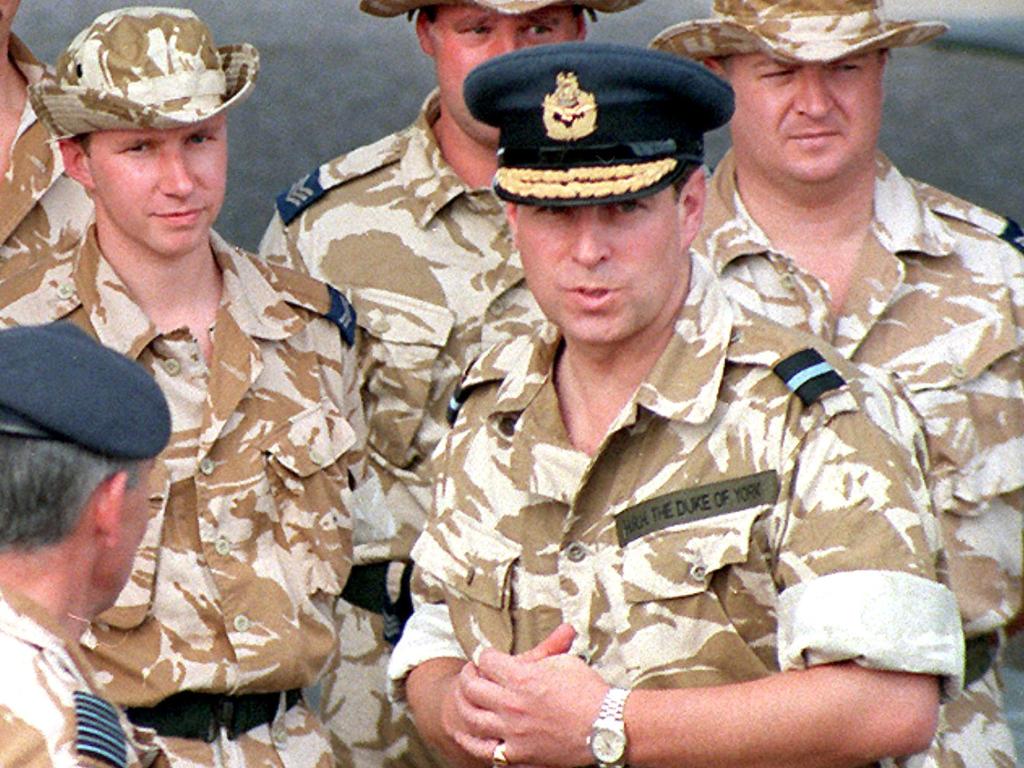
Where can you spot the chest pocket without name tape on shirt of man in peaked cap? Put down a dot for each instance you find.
(476, 572)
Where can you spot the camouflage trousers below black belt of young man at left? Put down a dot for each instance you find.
(295, 740)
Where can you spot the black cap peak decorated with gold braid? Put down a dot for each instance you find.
(564, 188)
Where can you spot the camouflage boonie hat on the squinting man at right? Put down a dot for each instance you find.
(801, 31)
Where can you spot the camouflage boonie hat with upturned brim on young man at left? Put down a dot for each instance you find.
(144, 68)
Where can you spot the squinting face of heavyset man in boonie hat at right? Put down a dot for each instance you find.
(806, 123)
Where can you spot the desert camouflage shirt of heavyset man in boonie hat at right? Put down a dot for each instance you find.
(942, 308)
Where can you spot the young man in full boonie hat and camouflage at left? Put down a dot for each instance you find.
(229, 612)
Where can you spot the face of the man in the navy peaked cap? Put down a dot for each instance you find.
(612, 277)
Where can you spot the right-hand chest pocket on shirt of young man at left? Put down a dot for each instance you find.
(308, 471)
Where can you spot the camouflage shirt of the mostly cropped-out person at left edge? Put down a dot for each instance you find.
(41, 210)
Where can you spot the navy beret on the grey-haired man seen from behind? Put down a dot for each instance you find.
(58, 383)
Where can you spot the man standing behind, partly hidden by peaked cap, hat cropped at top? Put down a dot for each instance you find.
(409, 229)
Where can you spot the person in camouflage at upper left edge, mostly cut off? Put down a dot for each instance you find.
(41, 210)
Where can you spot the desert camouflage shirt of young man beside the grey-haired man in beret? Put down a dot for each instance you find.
(249, 542)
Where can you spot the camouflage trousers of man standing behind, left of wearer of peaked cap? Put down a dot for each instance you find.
(366, 731)
